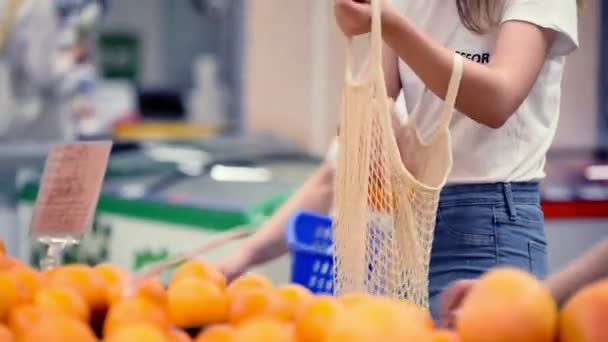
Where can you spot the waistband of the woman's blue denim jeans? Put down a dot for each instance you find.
(490, 194)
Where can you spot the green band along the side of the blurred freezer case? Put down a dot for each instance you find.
(196, 218)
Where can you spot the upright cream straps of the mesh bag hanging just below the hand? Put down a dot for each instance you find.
(375, 54)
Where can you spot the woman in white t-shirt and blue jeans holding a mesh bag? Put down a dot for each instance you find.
(489, 213)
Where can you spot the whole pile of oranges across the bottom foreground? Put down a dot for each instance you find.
(82, 303)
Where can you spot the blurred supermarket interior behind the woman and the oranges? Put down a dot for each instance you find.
(219, 109)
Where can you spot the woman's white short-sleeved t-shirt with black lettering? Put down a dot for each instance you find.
(516, 151)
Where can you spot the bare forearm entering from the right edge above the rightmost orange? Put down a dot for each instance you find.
(591, 267)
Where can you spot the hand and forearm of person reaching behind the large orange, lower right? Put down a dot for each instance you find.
(587, 269)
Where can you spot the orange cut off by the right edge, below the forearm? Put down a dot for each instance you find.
(585, 315)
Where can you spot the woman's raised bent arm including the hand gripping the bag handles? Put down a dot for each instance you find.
(519, 55)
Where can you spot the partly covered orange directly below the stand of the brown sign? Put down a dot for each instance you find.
(88, 283)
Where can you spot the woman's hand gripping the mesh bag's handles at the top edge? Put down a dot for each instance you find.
(354, 16)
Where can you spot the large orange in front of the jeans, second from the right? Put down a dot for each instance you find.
(508, 305)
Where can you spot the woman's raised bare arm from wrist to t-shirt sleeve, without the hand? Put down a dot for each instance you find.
(504, 86)
